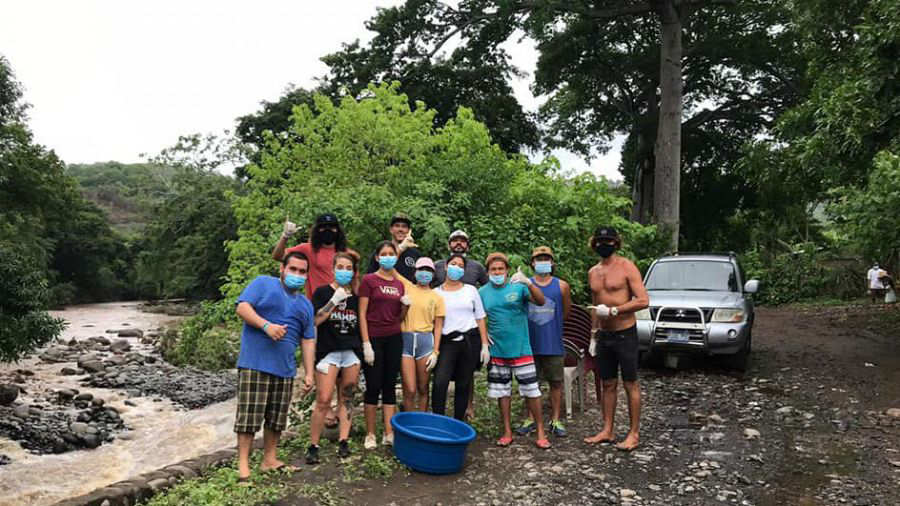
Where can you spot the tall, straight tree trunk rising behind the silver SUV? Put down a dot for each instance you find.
(667, 180)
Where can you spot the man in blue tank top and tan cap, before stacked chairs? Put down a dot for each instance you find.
(545, 325)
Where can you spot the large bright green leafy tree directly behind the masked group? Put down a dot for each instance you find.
(366, 159)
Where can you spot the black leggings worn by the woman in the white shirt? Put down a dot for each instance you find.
(454, 362)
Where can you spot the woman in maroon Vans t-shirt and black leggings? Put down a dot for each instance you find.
(382, 307)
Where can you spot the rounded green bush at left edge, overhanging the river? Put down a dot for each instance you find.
(24, 325)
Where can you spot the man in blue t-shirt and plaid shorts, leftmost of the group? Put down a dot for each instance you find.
(277, 316)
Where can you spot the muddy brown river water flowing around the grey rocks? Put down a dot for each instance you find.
(162, 434)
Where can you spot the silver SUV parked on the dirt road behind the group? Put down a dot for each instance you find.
(698, 304)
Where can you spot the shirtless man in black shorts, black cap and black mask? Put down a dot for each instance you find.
(617, 291)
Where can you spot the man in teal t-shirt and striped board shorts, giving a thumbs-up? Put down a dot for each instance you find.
(506, 305)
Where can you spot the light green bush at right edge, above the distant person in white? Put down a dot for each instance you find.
(868, 216)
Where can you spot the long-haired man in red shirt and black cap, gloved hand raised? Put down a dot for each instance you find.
(326, 237)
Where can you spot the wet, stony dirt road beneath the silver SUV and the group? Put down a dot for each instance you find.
(806, 424)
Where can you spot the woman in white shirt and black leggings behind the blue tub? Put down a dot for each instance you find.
(464, 319)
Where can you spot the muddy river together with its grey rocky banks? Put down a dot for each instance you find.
(99, 405)
